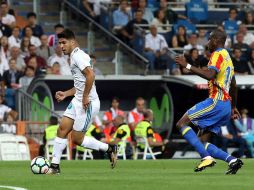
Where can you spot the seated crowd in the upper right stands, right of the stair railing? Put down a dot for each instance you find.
(164, 29)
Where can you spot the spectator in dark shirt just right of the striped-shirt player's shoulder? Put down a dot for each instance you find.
(240, 65)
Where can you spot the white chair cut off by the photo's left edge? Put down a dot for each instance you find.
(9, 148)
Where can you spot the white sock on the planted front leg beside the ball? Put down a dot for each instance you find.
(59, 145)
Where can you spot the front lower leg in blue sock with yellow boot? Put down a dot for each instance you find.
(192, 138)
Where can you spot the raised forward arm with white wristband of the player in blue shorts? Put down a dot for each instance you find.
(206, 74)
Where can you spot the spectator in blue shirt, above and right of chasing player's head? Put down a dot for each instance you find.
(231, 24)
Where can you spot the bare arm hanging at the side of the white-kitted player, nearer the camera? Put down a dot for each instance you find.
(89, 74)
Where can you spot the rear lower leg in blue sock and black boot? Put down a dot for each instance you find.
(234, 164)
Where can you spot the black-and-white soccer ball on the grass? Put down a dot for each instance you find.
(39, 165)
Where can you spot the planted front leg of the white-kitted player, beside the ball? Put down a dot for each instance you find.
(60, 144)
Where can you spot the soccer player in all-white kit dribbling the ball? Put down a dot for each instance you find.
(84, 106)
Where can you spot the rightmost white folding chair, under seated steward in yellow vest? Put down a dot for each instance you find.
(148, 152)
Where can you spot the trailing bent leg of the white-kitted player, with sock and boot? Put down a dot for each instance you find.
(89, 142)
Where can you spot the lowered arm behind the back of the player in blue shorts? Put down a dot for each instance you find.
(233, 94)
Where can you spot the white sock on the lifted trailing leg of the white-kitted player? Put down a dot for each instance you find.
(92, 143)
